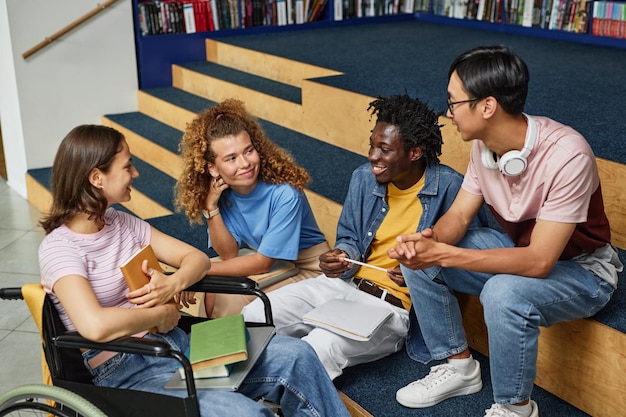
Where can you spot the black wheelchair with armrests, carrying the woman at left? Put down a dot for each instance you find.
(72, 393)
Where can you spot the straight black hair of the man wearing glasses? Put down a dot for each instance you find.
(494, 71)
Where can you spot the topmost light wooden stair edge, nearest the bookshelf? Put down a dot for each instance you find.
(273, 67)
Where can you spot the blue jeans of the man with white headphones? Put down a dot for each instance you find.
(514, 308)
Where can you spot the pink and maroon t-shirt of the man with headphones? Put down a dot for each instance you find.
(560, 184)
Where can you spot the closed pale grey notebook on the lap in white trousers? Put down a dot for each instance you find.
(351, 319)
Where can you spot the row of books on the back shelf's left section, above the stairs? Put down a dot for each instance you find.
(159, 17)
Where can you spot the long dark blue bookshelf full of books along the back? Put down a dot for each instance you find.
(157, 53)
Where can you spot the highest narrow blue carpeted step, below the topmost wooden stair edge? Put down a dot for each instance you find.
(244, 79)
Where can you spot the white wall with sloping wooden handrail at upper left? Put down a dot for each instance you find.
(89, 72)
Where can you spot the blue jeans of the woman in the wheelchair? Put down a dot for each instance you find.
(287, 373)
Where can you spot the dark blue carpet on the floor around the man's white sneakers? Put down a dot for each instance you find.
(374, 385)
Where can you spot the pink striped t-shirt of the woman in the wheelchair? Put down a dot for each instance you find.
(97, 257)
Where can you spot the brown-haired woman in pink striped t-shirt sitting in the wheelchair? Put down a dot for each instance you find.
(87, 241)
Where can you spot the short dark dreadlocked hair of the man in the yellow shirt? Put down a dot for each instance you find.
(419, 125)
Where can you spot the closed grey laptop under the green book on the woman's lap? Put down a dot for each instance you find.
(259, 338)
